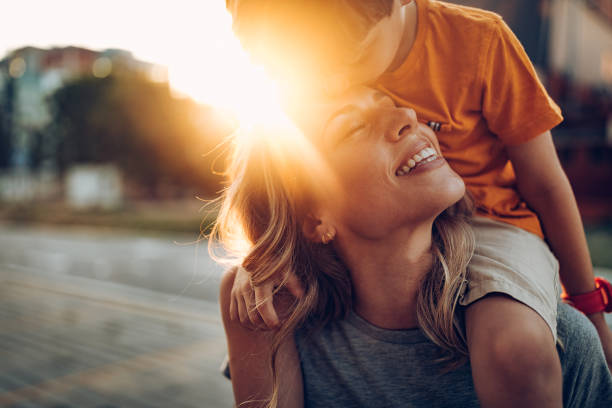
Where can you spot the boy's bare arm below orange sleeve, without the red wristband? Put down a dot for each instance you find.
(545, 187)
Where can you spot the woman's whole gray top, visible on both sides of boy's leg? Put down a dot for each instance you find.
(351, 363)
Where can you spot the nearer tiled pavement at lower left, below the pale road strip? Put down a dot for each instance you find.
(77, 342)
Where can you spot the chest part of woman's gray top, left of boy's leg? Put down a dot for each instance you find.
(351, 363)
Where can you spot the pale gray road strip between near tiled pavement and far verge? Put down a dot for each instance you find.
(175, 265)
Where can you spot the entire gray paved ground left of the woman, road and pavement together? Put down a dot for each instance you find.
(100, 319)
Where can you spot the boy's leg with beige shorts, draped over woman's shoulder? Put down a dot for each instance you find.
(511, 318)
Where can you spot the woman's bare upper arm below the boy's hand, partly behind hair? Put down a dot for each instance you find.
(249, 360)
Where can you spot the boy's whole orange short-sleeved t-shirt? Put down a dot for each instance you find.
(470, 79)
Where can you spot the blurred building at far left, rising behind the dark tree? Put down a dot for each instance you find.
(29, 75)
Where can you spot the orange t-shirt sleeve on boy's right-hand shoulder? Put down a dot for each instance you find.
(516, 106)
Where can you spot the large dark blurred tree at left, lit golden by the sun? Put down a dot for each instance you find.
(157, 140)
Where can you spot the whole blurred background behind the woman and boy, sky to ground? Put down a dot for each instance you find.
(112, 121)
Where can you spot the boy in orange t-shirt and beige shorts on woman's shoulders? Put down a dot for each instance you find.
(467, 76)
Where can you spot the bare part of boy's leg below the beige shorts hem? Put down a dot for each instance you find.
(513, 355)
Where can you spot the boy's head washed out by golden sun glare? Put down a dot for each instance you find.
(310, 42)
